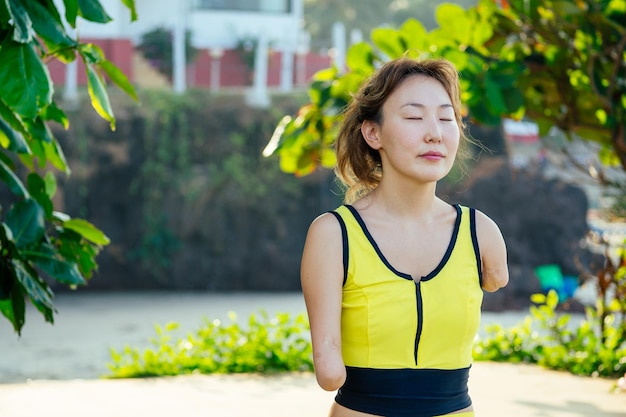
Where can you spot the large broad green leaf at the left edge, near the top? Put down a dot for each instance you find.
(25, 85)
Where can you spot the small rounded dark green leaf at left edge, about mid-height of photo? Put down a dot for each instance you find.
(26, 221)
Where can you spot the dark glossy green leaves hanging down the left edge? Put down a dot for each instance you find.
(38, 243)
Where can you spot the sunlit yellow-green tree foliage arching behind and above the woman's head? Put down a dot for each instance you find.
(559, 63)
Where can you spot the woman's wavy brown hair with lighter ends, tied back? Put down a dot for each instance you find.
(358, 166)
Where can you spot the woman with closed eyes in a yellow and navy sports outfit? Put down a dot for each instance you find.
(393, 278)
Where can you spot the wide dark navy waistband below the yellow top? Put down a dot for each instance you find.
(405, 392)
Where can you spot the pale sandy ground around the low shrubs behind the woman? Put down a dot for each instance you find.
(54, 370)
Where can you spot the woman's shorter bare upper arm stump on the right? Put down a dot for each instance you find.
(492, 252)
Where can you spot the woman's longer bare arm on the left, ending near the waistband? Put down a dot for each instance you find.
(322, 280)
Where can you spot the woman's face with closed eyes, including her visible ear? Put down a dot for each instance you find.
(418, 136)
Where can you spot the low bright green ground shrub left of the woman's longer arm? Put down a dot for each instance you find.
(265, 345)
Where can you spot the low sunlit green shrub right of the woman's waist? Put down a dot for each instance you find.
(595, 347)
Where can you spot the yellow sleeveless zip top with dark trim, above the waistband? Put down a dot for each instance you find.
(389, 321)
